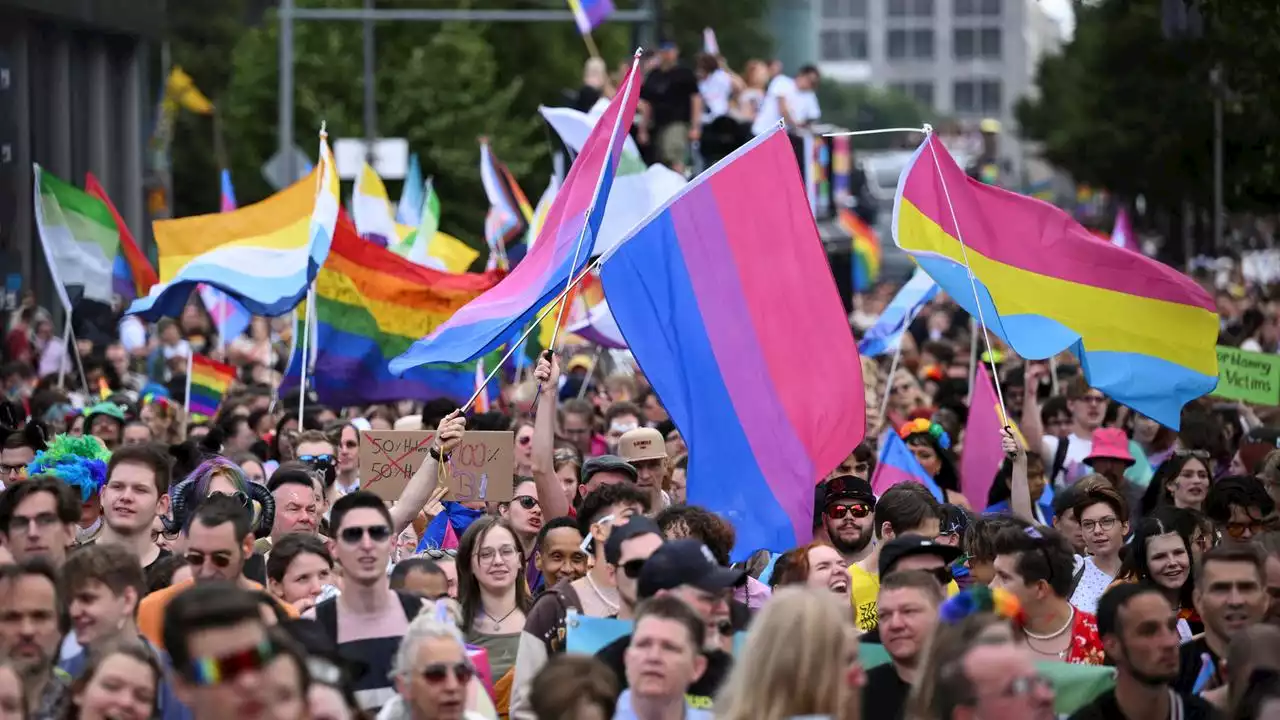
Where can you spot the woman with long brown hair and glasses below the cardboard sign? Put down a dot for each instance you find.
(493, 594)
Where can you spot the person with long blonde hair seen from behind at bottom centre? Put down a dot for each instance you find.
(794, 662)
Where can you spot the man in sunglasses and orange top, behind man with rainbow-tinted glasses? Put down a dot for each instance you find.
(220, 541)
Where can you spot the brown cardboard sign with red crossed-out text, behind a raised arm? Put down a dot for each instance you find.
(481, 468)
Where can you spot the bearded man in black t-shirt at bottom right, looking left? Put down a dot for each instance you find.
(1140, 632)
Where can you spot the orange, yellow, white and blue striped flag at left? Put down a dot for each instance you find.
(266, 256)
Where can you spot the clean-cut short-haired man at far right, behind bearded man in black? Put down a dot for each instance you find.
(1231, 596)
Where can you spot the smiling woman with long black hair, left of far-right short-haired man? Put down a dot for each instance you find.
(1160, 554)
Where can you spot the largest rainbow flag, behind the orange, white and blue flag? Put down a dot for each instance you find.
(372, 306)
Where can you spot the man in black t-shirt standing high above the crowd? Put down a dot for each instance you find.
(673, 110)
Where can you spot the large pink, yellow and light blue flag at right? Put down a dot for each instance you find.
(1145, 334)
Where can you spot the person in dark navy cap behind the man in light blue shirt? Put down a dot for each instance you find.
(687, 569)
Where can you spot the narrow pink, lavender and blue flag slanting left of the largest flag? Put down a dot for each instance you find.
(563, 249)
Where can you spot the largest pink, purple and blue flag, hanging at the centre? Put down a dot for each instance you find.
(729, 306)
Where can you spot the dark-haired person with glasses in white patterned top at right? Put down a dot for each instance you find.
(1101, 513)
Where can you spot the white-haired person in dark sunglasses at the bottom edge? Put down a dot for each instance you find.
(433, 672)
